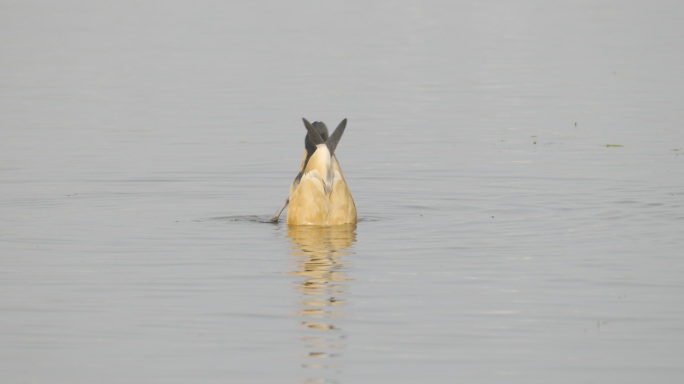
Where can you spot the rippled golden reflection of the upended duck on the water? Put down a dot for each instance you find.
(318, 254)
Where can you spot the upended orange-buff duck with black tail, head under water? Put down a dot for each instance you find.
(319, 195)
